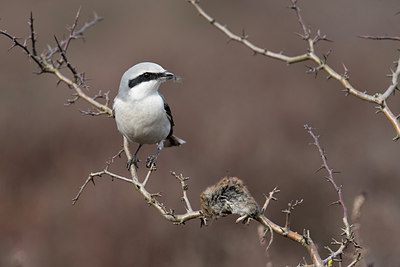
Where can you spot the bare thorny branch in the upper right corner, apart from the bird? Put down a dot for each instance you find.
(378, 98)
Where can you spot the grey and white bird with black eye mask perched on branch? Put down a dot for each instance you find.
(141, 113)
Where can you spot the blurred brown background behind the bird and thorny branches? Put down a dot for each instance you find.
(241, 115)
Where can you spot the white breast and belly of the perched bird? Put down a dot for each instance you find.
(144, 121)
